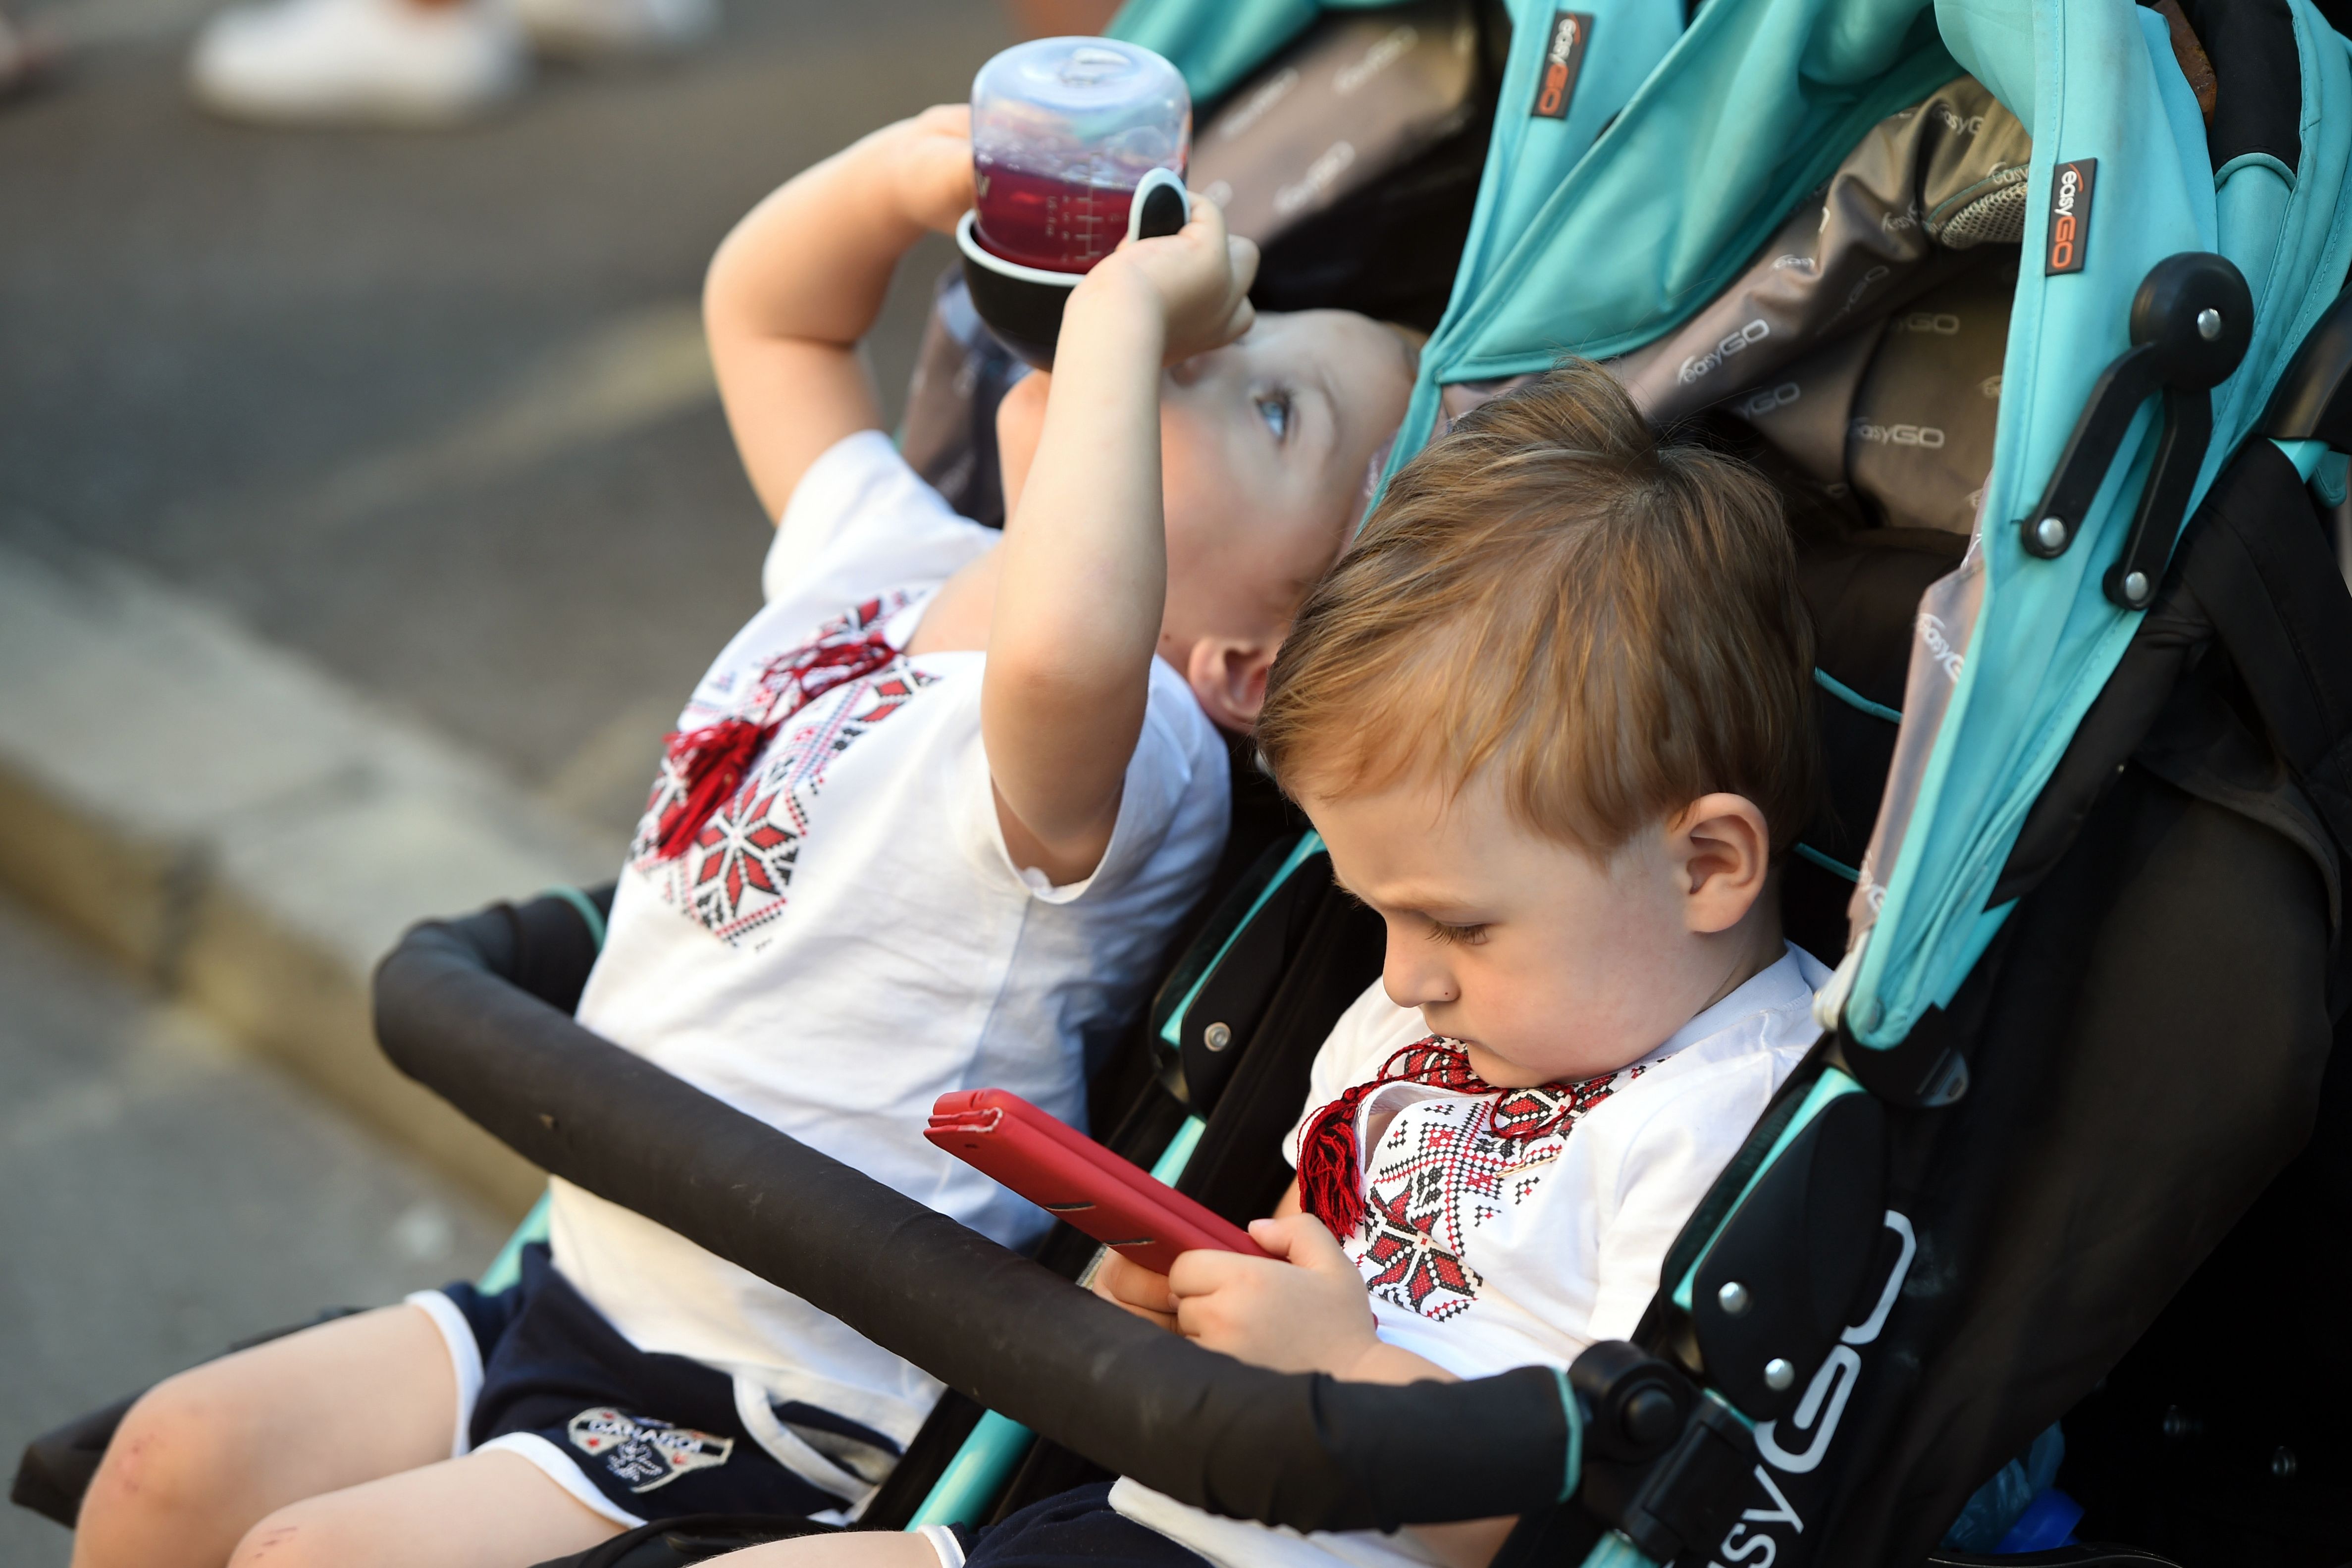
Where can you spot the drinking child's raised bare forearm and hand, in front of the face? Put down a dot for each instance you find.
(1085, 554)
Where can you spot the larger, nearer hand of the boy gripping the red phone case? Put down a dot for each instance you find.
(1297, 1313)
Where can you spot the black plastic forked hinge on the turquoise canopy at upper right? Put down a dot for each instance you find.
(2191, 326)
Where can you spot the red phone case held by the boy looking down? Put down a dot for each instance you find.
(1076, 1179)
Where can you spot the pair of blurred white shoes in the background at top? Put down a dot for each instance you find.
(413, 62)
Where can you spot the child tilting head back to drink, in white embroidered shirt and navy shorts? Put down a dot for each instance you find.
(928, 824)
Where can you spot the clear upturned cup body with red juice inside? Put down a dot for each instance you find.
(1062, 133)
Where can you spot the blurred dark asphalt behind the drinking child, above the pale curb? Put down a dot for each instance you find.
(432, 410)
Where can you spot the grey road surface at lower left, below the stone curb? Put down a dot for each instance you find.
(168, 1198)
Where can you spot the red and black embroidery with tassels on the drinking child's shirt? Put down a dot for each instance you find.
(735, 871)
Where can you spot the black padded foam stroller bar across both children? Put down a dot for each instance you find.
(1304, 1452)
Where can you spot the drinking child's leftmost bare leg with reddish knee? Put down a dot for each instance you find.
(208, 1454)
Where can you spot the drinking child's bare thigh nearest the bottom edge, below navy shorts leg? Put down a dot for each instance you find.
(488, 1510)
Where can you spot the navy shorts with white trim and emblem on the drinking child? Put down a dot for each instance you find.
(634, 1435)
